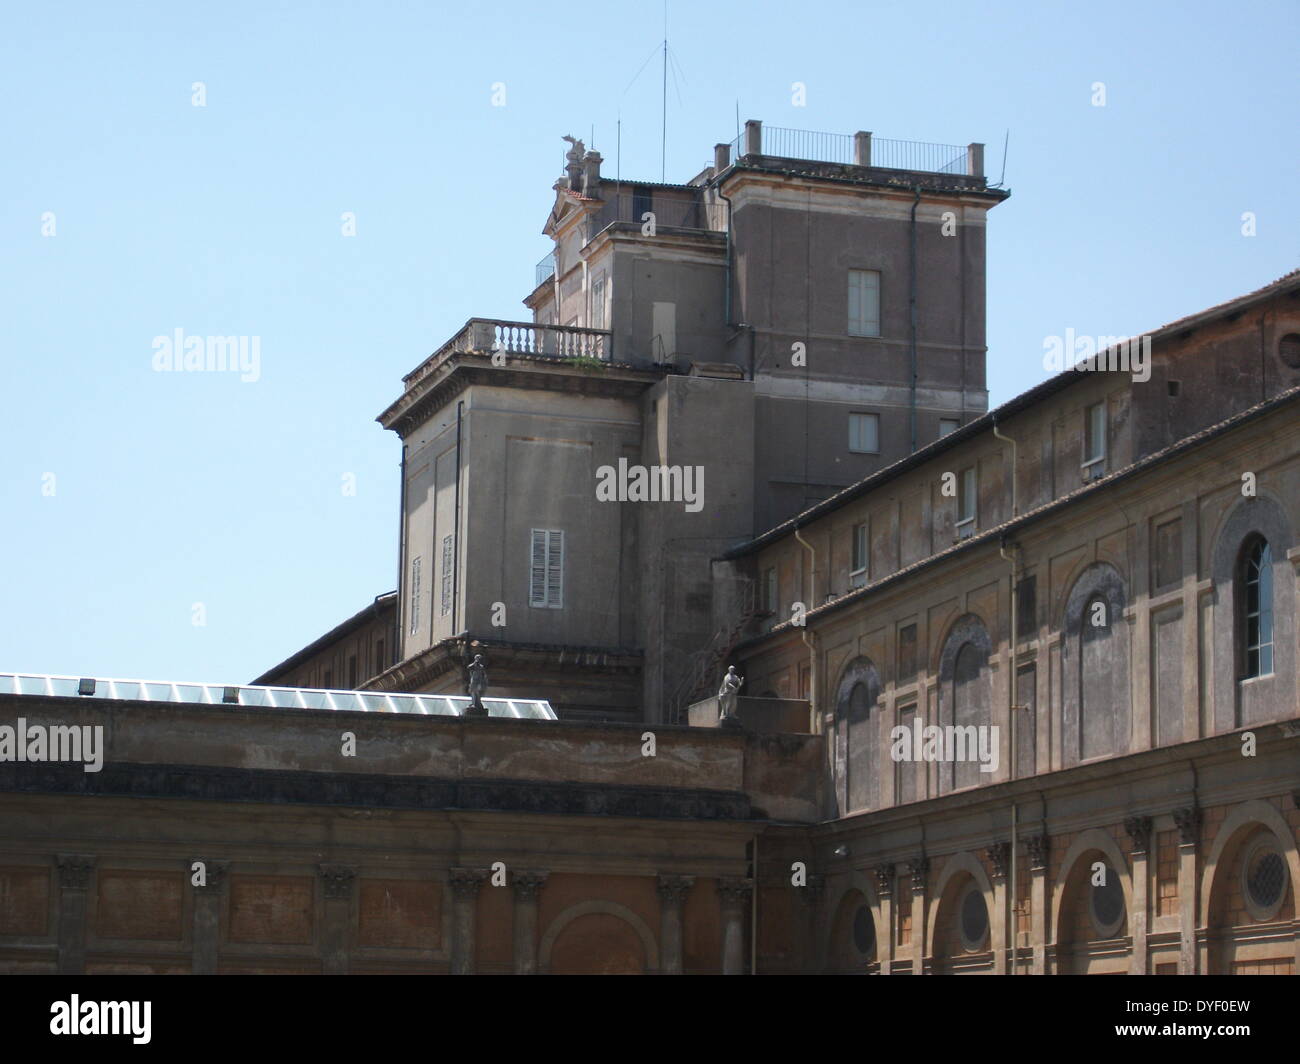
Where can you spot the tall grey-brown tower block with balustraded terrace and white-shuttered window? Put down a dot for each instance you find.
(766, 334)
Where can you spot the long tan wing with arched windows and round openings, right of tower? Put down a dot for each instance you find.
(1110, 595)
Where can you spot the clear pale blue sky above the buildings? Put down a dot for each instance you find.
(197, 488)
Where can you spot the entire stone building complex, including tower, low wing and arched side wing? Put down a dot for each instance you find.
(1020, 697)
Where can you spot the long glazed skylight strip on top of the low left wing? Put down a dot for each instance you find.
(267, 698)
